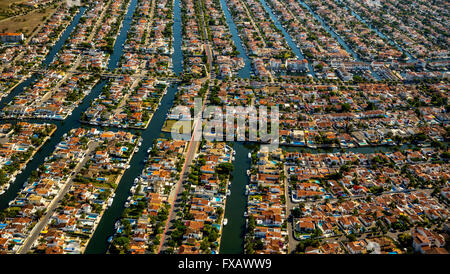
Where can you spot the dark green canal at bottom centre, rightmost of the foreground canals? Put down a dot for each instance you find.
(233, 233)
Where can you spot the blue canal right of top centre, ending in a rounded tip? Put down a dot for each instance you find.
(246, 71)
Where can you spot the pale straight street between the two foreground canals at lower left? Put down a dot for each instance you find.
(28, 243)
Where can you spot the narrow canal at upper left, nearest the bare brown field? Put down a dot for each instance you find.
(48, 59)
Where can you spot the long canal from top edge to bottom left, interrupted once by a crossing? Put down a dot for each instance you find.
(99, 242)
